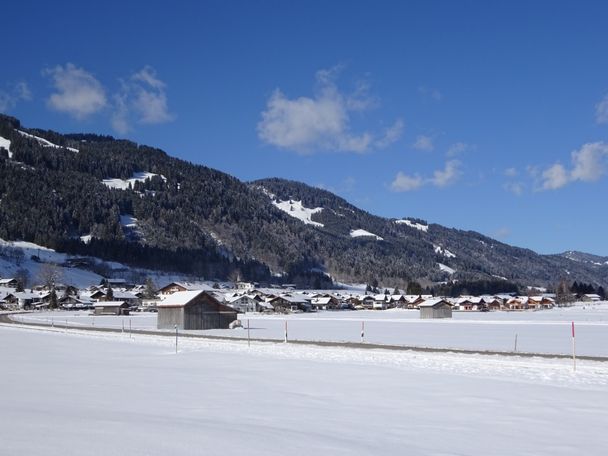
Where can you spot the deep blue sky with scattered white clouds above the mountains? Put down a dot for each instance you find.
(485, 116)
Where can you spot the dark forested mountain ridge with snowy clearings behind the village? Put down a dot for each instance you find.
(89, 194)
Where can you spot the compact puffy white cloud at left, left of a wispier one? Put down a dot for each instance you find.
(78, 93)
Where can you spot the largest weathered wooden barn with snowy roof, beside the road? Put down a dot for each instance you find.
(196, 309)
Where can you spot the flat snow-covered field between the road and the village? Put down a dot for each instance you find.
(546, 331)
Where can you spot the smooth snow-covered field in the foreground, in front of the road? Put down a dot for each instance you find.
(97, 394)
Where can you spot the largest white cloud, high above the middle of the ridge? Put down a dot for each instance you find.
(322, 122)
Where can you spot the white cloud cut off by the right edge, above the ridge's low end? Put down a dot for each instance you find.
(588, 165)
